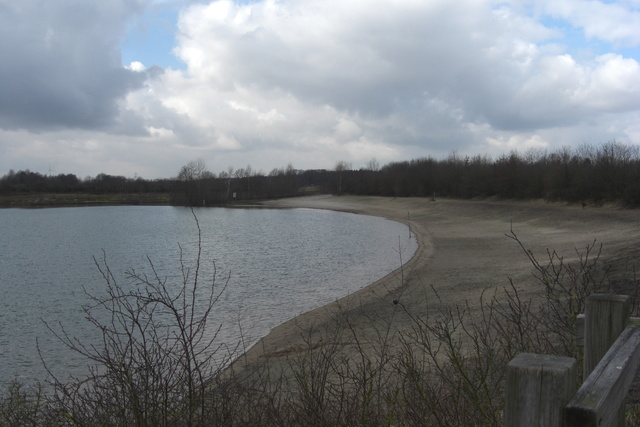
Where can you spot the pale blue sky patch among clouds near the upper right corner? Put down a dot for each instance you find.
(578, 45)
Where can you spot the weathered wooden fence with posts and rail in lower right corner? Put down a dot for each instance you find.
(541, 389)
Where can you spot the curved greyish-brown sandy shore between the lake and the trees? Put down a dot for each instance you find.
(462, 251)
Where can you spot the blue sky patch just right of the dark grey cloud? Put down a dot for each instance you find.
(151, 39)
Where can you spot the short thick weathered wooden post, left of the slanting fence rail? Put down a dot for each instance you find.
(537, 388)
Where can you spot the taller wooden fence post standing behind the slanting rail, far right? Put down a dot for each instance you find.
(606, 316)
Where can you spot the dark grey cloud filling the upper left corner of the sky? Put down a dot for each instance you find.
(61, 64)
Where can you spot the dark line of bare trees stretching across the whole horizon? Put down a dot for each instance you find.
(589, 174)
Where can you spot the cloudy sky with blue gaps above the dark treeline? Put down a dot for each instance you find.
(142, 87)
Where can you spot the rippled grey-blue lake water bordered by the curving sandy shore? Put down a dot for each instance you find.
(280, 263)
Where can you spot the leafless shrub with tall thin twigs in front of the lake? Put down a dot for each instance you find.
(156, 355)
